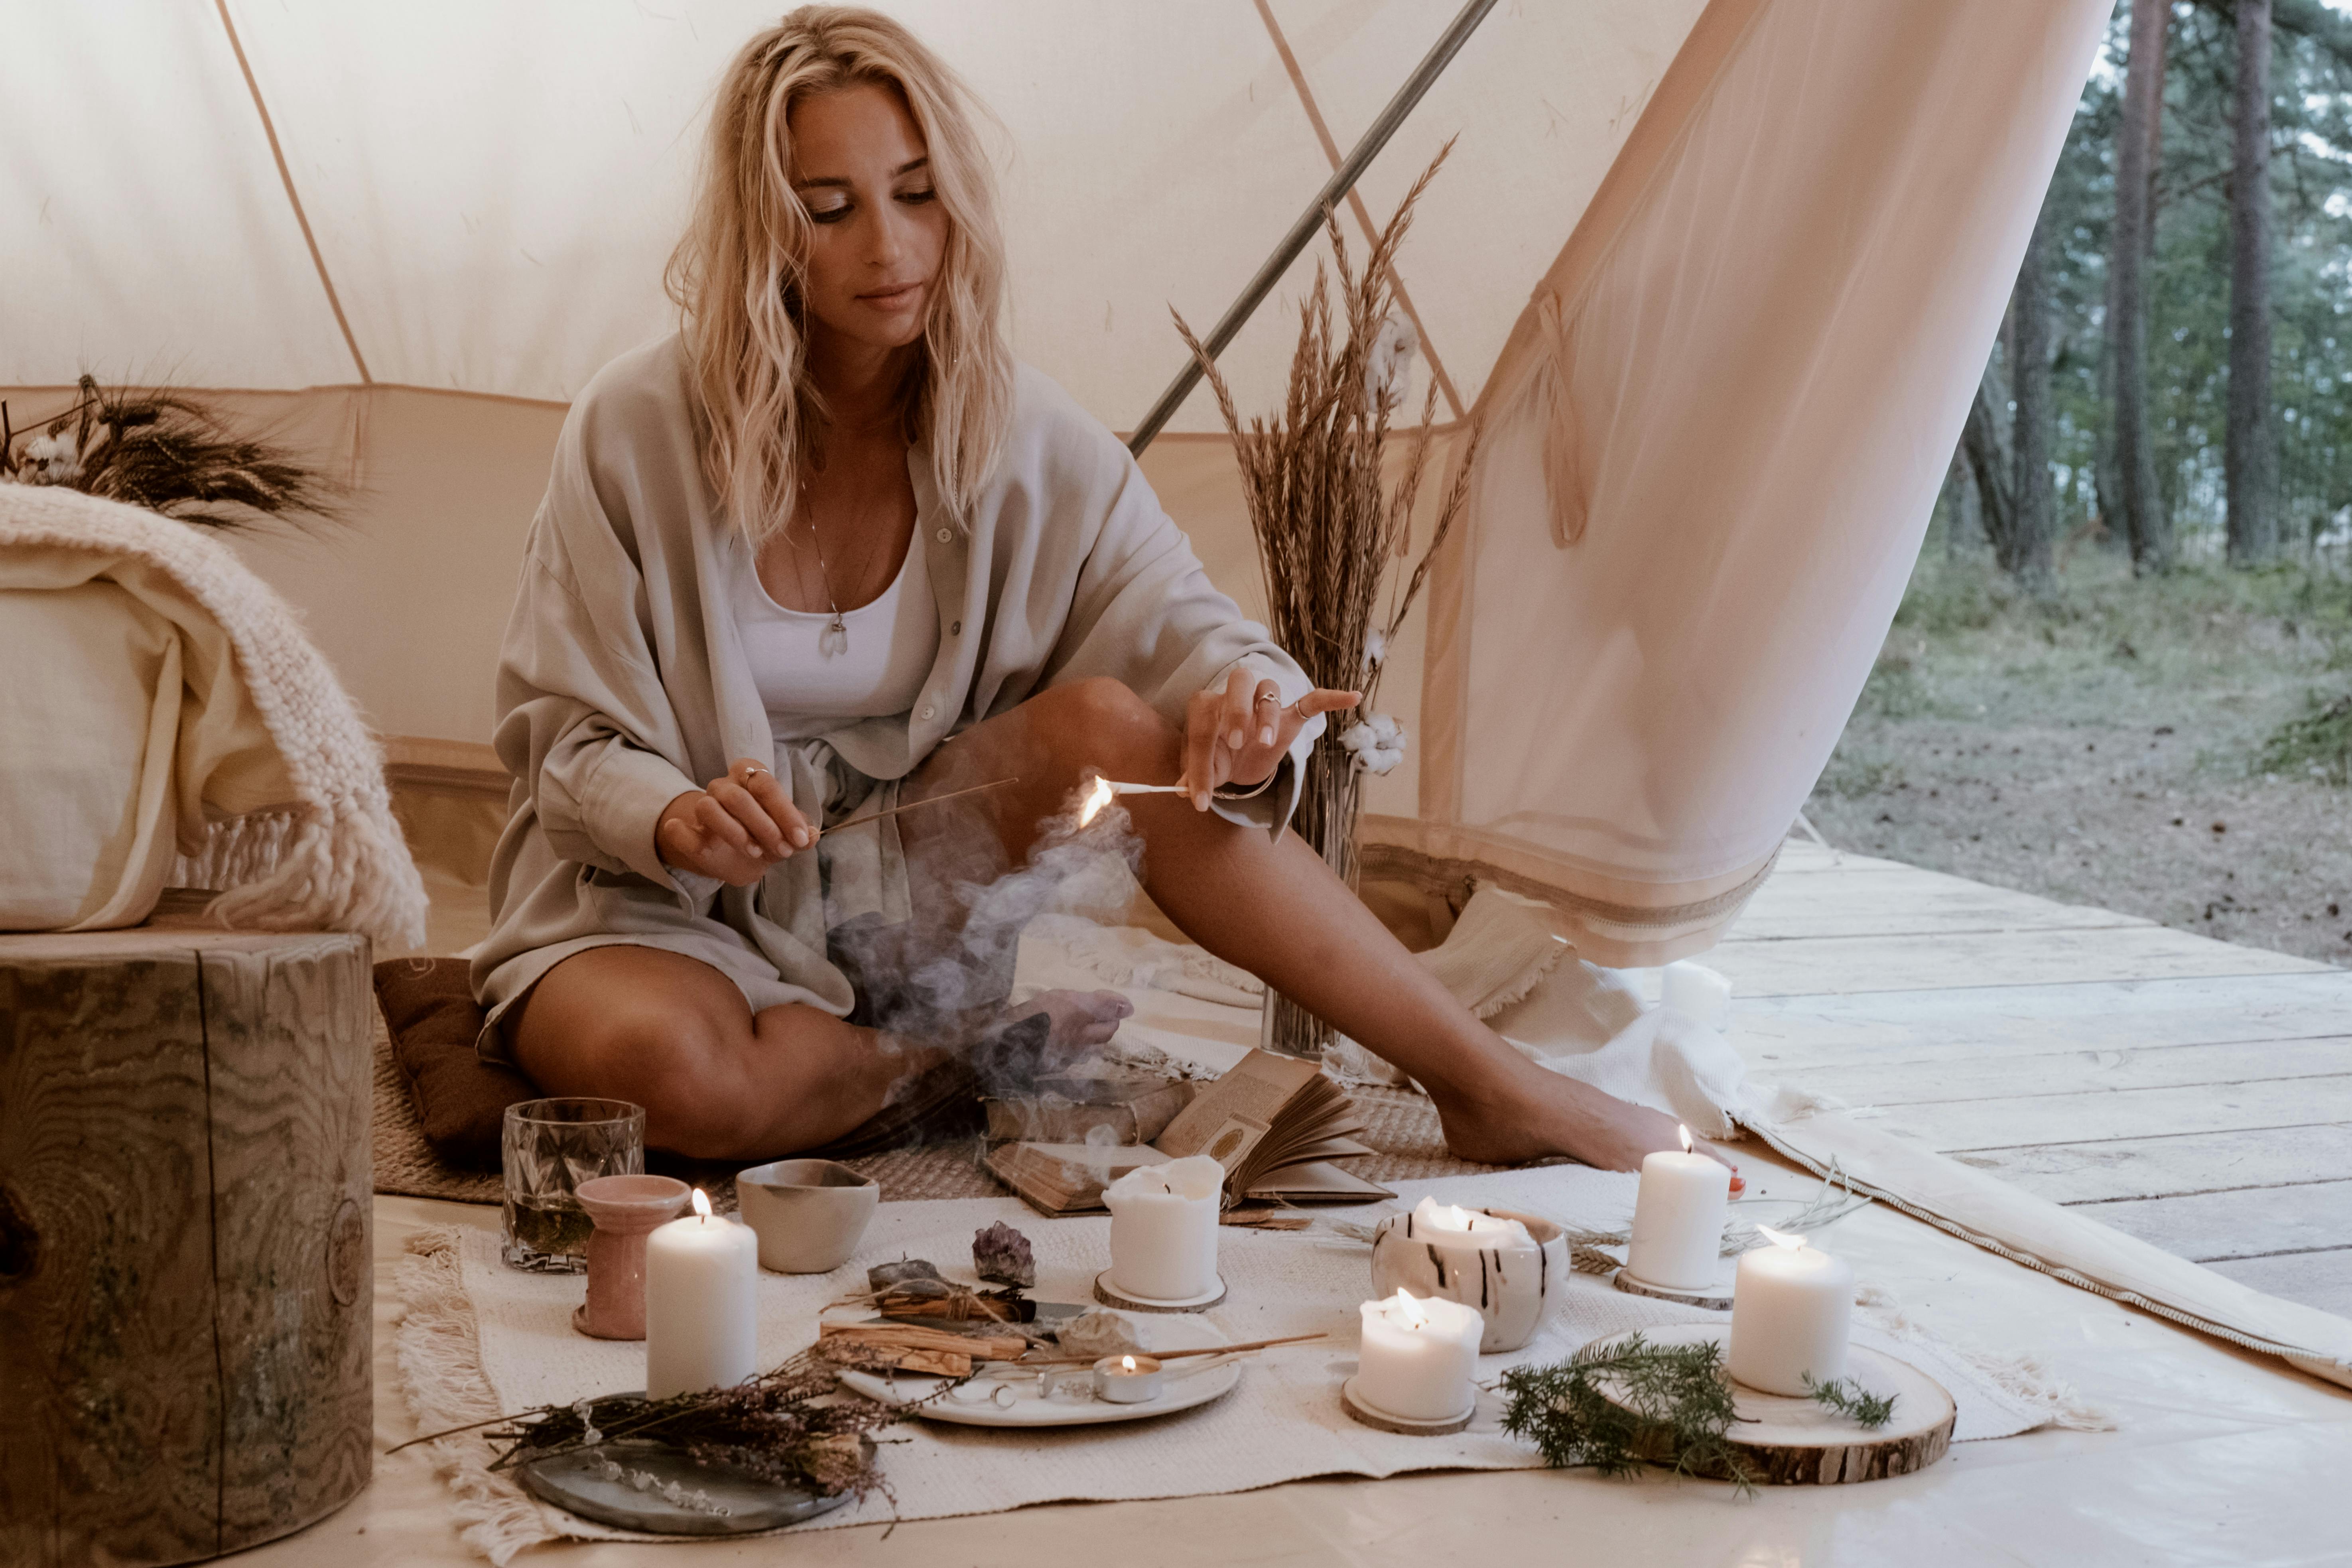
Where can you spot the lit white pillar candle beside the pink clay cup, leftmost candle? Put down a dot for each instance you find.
(702, 1304)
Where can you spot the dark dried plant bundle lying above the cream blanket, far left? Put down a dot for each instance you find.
(166, 455)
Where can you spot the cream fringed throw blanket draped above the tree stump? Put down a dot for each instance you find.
(168, 721)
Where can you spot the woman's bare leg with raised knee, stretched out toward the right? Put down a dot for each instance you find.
(1276, 909)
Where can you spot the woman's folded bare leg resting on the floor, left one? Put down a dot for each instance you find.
(716, 1083)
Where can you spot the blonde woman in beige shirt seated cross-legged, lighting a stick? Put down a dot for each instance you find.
(831, 551)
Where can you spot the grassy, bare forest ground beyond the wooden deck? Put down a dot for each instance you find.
(2116, 744)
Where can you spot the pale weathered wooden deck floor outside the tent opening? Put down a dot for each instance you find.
(2181, 1090)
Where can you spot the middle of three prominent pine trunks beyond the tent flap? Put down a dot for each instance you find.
(2127, 326)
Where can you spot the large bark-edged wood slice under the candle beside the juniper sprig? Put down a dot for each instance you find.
(1796, 1442)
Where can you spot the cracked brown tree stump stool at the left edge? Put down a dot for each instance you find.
(187, 1280)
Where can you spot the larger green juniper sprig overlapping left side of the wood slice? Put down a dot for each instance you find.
(1666, 1405)
